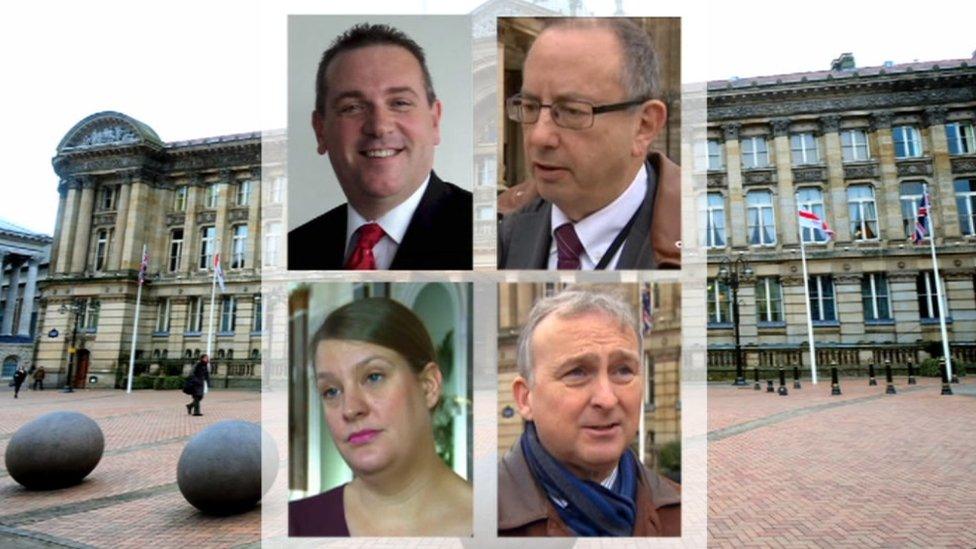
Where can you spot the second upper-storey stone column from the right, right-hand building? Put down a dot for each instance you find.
(887, 193)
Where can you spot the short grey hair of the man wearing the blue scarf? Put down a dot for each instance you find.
(569, 303)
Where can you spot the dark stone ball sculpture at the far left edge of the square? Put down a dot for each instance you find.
(56, 450)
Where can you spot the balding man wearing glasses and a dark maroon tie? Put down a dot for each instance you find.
(589, 111)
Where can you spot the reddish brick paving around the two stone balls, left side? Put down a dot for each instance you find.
(131, 499)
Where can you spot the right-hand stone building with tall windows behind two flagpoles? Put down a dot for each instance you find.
(856, 145)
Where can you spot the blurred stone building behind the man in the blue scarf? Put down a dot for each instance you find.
(662, 349)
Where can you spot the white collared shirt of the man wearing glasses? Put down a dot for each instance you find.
(598, 230)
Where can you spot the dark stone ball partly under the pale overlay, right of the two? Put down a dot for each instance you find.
(221, 470)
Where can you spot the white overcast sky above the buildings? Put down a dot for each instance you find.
(200, 68)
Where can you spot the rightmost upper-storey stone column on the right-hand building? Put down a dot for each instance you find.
(941, 188)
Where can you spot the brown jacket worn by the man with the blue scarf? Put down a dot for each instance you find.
(524, 509)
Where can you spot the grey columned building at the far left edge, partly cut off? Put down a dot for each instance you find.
(23, 262)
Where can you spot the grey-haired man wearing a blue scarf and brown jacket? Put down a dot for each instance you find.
(580, 391)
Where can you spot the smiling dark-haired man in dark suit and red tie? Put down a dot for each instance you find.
(378, 119)
